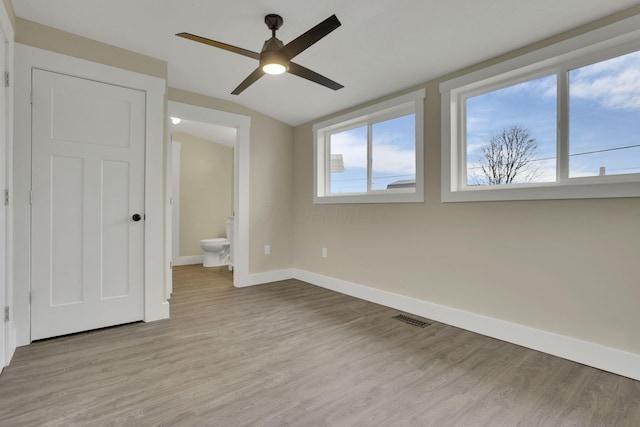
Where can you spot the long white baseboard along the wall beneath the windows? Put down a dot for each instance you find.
(595, 355)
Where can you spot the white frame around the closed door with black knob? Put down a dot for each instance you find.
(156, 305)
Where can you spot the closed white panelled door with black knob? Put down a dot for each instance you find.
(87, 188)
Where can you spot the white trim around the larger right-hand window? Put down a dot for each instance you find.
(582, 49)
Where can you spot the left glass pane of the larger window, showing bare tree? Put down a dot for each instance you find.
(511, 134)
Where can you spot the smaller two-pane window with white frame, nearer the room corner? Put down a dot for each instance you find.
(373, 155)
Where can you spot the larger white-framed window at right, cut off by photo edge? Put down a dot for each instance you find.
(562, 122)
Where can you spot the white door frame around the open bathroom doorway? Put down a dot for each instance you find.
(242, 124)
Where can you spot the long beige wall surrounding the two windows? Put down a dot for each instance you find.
(564, 266)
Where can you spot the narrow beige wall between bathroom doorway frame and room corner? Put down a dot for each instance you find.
(271, 182)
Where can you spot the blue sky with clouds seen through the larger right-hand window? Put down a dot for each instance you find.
(604, 119)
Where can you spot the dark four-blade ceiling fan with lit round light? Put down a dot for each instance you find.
(275, 57)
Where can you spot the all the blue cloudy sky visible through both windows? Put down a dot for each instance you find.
(604, 128)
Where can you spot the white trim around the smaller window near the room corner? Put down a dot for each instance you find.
(371, 113)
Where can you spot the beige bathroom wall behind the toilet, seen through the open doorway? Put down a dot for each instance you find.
(206, 191)
